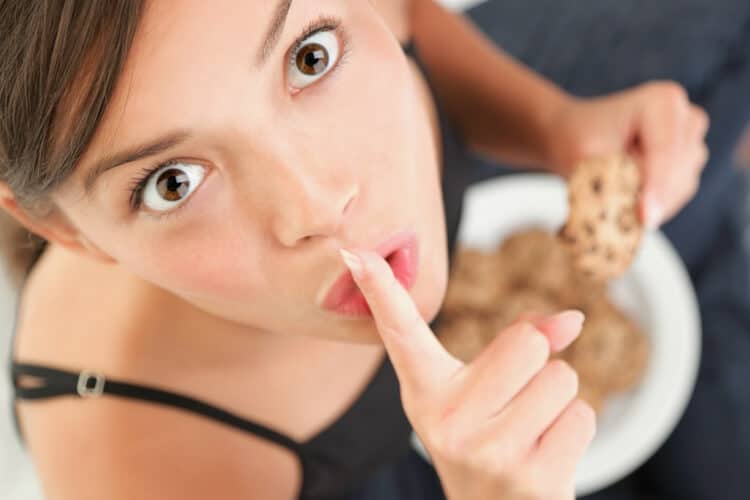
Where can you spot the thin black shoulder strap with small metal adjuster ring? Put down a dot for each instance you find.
(58, 383)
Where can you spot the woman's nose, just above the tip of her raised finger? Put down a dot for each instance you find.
(311, 205)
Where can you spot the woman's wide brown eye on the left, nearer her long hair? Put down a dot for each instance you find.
(172, 185)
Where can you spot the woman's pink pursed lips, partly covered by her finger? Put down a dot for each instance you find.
(400, 251)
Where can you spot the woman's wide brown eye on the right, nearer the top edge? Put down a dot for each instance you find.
(315, 57)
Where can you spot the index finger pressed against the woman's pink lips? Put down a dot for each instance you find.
(418, 357)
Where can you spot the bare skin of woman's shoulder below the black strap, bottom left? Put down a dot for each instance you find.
(117, 449)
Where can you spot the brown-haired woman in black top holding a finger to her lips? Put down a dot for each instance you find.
(197, 169)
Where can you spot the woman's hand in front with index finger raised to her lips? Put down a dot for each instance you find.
(508, 425)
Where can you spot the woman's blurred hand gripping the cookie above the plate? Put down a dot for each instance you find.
(656, 123)
